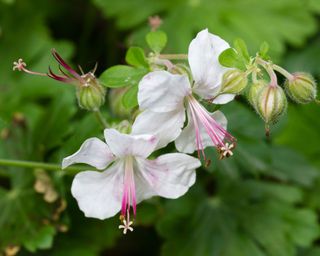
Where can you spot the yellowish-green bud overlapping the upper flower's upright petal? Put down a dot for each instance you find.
(234, 81)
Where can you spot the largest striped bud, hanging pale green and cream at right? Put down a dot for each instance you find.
(271, 103)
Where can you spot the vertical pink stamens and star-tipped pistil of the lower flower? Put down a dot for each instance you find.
(129, 196)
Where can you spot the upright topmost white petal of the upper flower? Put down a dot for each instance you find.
(203, 57)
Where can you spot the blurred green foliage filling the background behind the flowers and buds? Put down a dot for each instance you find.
(264, 201)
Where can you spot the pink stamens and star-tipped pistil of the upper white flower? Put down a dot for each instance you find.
(223, 140)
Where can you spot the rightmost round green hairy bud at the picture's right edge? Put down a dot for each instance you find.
(301, 88)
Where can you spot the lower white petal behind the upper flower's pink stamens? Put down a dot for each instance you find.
(186, 142)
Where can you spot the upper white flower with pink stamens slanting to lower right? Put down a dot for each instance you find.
(165, 99)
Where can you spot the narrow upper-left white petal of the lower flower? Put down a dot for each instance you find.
(93, 152)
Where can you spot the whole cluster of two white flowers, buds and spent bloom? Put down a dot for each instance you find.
(171, 110)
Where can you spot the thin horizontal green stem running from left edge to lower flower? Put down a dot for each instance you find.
(46, 166)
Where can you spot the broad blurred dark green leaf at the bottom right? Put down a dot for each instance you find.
(238, 220)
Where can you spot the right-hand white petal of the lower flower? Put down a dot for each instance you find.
(169, 176)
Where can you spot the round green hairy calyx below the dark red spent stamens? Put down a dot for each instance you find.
(91, 96)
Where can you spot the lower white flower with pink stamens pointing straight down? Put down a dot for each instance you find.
(127, 176)
